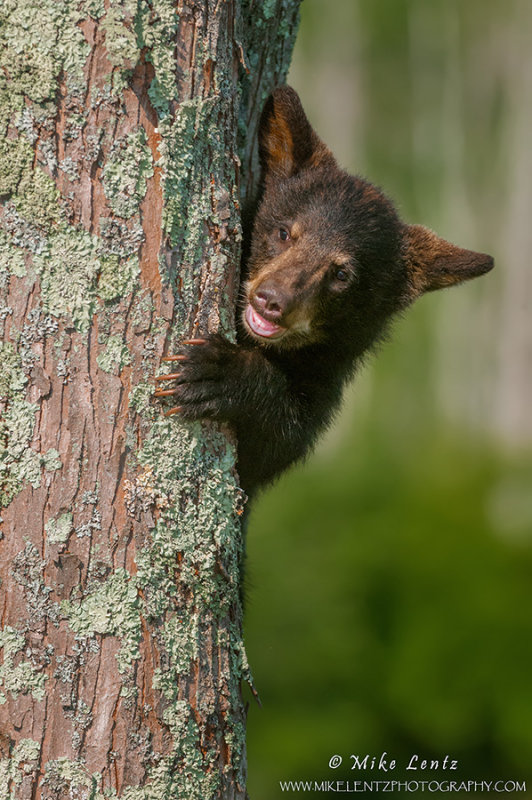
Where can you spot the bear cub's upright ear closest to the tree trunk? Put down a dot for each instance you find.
(287, 142)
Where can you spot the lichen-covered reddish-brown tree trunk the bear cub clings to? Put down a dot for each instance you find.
(121, 652)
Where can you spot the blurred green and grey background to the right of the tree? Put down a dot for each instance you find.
(390, 592)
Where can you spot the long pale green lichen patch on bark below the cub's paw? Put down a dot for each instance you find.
(173, 455)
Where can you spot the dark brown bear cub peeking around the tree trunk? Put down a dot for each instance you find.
(329, 265)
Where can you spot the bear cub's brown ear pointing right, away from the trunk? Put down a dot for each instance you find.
(432, 263)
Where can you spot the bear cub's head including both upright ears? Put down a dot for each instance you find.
(330, 259)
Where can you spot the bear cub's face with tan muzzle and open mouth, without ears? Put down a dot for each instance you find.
(325, 253)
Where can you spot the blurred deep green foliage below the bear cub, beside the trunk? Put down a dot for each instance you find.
(390, 609)
